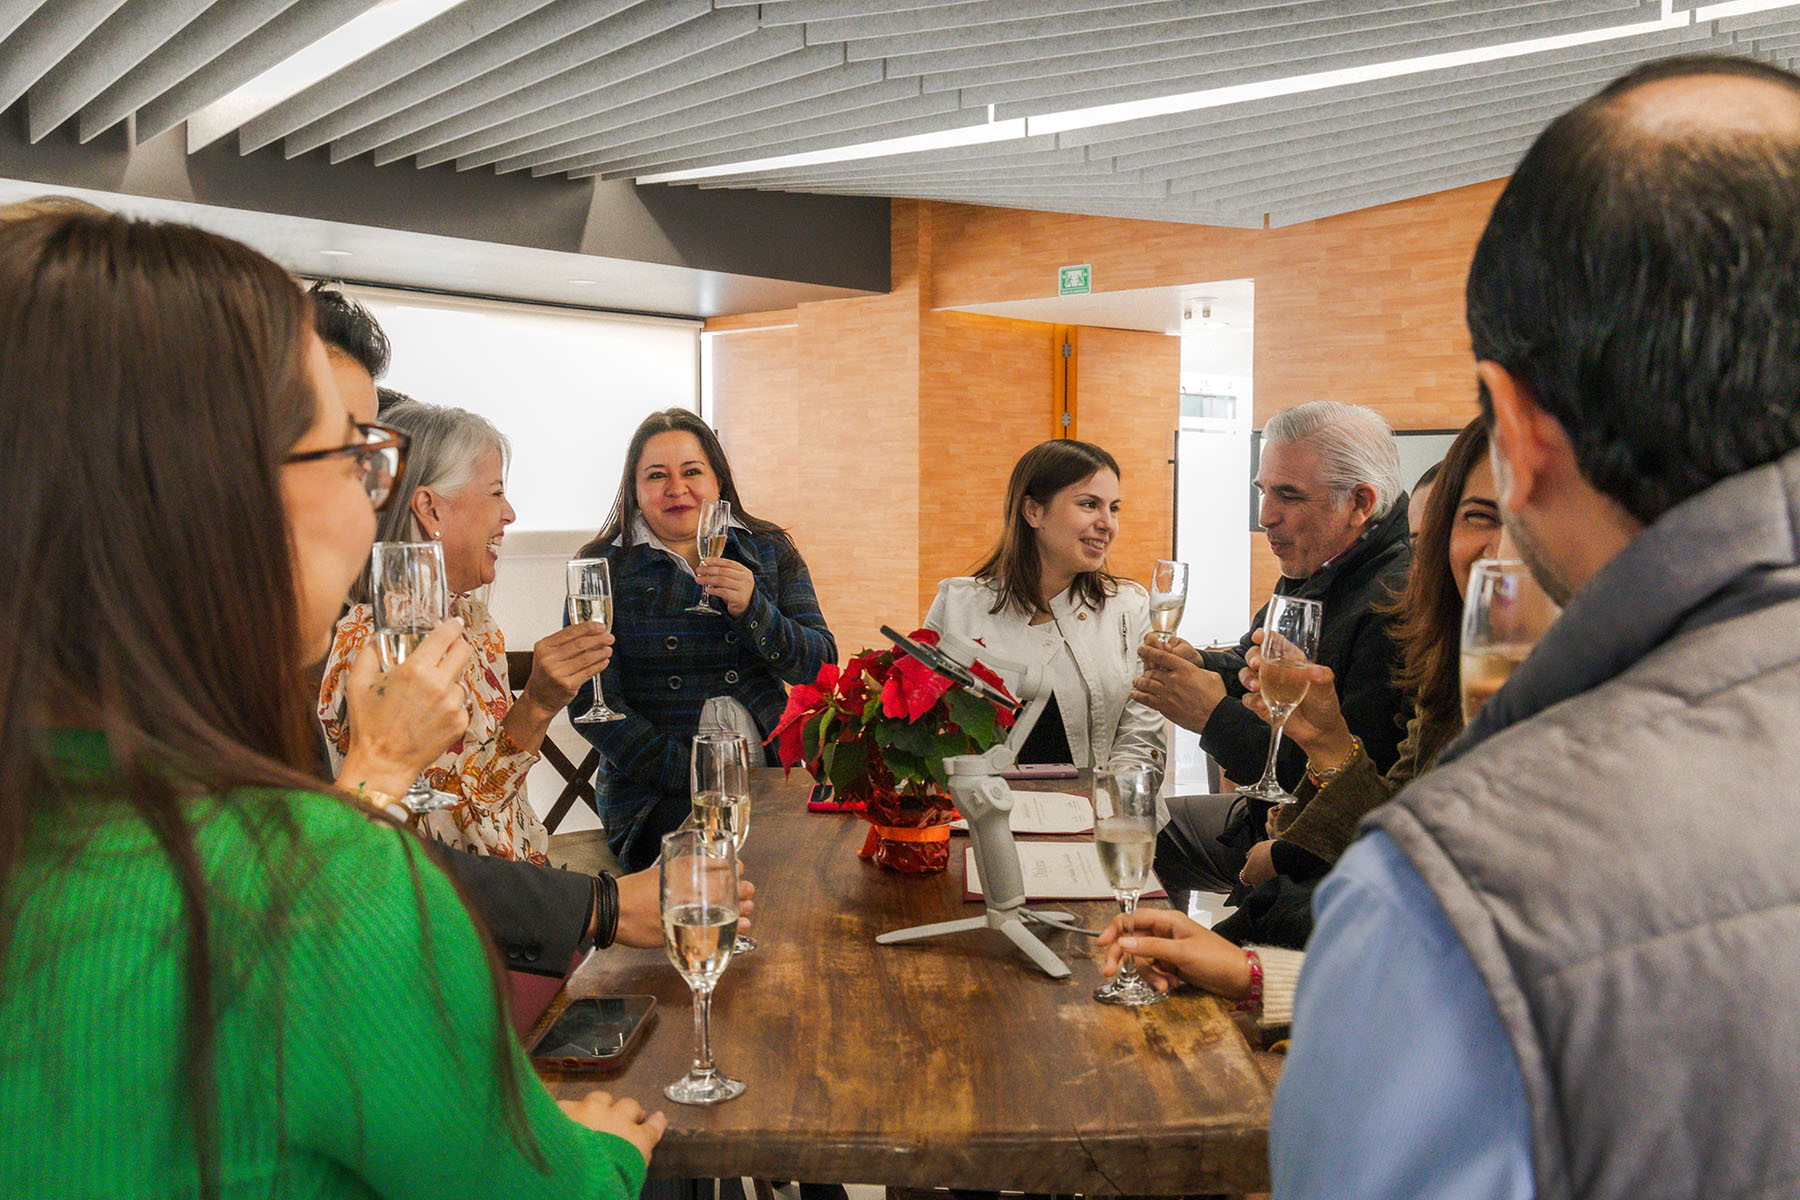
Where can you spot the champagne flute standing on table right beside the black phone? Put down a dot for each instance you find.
(699, 877)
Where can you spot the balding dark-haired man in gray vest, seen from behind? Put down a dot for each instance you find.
(1567, 962)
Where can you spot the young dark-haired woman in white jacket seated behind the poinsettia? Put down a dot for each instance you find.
(1045, 598)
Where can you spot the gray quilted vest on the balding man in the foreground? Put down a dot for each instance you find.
(1617, 841)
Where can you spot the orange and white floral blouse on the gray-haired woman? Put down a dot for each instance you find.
(485, 767)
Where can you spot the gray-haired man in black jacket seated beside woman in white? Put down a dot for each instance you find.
(1335, 512)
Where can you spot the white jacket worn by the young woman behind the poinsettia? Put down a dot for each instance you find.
(1092, 681)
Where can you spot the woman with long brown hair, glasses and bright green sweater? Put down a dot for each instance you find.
(217, 980)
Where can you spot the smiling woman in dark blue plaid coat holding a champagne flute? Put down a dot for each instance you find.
(669, 663)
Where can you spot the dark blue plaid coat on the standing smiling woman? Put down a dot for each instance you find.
(669, 663)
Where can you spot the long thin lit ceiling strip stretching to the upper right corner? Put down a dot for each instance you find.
(1219, 98)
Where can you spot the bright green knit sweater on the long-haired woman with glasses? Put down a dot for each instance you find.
(355, 1035)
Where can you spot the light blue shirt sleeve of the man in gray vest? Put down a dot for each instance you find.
(1401, 1082)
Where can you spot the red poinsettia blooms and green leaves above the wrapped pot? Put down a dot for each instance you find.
(885, 722)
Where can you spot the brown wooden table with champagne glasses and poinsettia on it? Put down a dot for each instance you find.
(948, 1064)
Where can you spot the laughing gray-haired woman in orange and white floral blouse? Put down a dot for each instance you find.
(453, 490)
